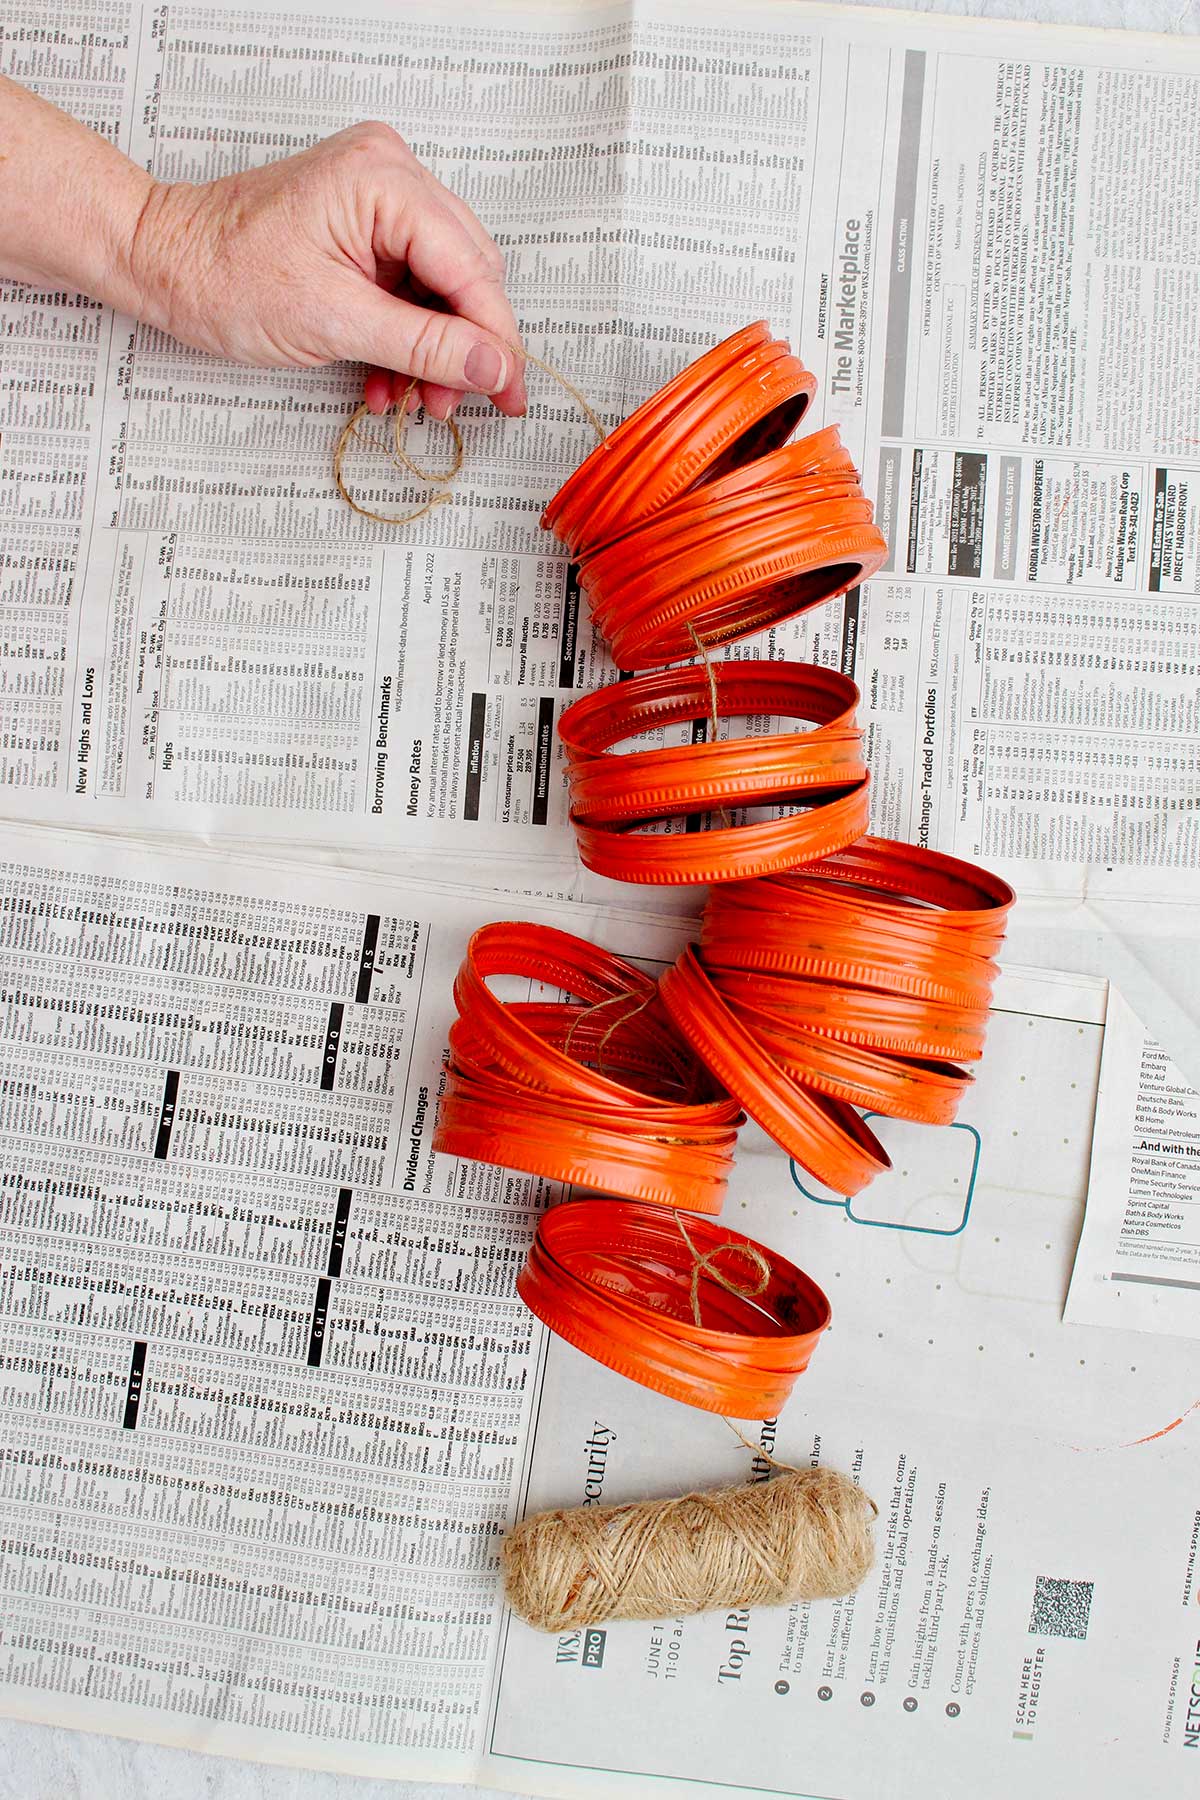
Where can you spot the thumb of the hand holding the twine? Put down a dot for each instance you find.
(409, 339)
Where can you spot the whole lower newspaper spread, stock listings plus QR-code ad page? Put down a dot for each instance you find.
(271, 1399)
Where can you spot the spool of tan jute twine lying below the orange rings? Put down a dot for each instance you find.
(801, 1536)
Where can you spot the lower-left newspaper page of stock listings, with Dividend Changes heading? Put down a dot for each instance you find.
(265, 1376)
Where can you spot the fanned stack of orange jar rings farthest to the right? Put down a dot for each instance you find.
(861, 980)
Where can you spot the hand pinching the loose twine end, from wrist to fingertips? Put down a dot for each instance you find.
(350, 251)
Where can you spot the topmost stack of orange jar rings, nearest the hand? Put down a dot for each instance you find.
(697, 519)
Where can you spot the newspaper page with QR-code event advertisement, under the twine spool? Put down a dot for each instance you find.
(1035, 1486)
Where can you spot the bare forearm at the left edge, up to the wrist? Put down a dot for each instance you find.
(71, 204)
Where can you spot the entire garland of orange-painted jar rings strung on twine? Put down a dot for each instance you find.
(836, 973)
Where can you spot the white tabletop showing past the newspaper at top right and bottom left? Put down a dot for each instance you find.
(48, 1763)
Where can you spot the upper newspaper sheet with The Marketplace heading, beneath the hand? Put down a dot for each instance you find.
(938, 213)
